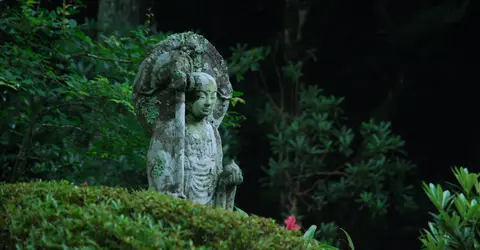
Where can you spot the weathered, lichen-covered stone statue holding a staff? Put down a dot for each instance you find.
(181, 94)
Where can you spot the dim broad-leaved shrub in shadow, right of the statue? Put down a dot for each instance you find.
(315, 160)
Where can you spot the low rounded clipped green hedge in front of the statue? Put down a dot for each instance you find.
(46, 215)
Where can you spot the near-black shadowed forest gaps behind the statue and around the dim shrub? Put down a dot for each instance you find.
(411, 63)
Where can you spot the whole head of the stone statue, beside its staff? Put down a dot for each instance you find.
(201, 101)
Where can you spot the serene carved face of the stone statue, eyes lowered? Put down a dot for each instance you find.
(206, 98)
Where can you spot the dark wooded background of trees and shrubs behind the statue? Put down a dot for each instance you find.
(340, 109)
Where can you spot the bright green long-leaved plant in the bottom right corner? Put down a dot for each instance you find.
(456, 223)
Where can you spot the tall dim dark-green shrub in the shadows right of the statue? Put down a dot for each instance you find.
(319, 164)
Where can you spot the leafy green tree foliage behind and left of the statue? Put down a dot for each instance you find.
(66, 99)
